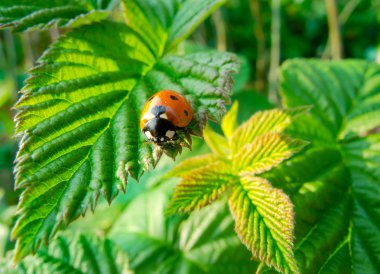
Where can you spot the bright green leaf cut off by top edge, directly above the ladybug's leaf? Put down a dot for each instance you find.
(172, 21)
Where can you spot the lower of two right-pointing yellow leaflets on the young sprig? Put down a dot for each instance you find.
(266, 152)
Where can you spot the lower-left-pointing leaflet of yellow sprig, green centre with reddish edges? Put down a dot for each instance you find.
(201, 187)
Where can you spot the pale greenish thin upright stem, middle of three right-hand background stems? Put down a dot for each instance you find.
(275, 51)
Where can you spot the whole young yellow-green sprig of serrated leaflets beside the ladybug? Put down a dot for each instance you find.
(263, 215)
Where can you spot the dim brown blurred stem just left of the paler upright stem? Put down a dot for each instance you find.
(261, 59)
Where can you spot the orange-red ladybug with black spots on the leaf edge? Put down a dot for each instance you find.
(163, 115)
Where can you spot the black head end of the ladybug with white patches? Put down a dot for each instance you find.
(160, 131)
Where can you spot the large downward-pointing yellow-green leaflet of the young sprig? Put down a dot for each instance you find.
(264, 222)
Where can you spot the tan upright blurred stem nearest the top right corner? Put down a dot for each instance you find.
(334, 30)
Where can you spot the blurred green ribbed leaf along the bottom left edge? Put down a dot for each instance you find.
(74, 254)
